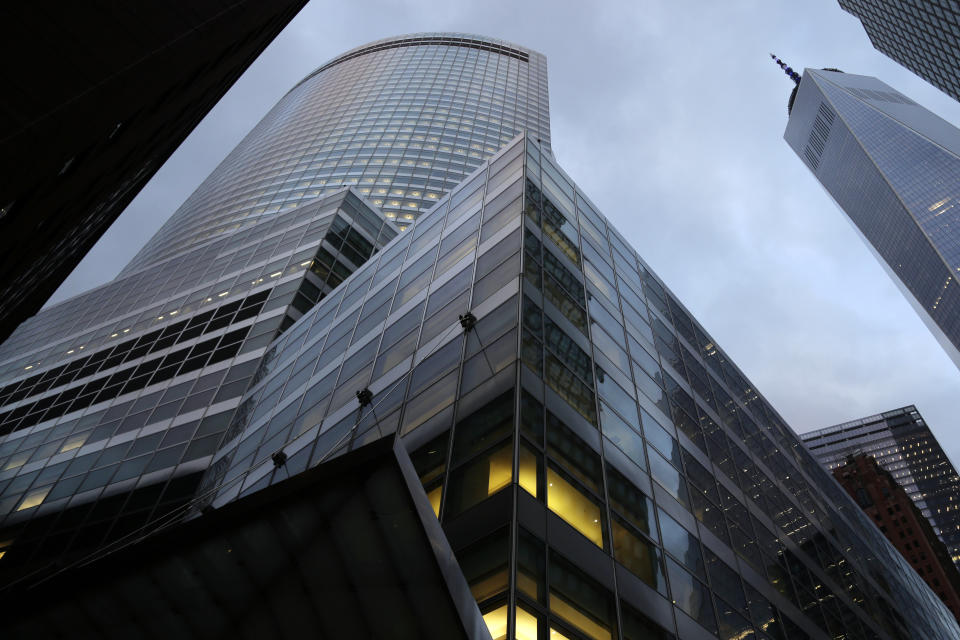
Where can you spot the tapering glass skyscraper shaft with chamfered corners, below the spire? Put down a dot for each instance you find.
(894, 169)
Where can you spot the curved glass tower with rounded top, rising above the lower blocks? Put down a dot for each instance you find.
(402, 119)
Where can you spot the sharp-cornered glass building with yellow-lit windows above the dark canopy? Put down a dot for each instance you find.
(599, 466)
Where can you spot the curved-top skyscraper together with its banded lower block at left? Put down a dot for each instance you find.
(369, 139)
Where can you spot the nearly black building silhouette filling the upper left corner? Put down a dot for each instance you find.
(104, 97)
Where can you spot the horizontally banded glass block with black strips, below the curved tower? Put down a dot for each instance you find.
(119, 428)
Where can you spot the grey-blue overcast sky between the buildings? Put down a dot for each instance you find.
(670, 116)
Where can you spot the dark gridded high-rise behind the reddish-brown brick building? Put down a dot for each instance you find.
(902, 444)
